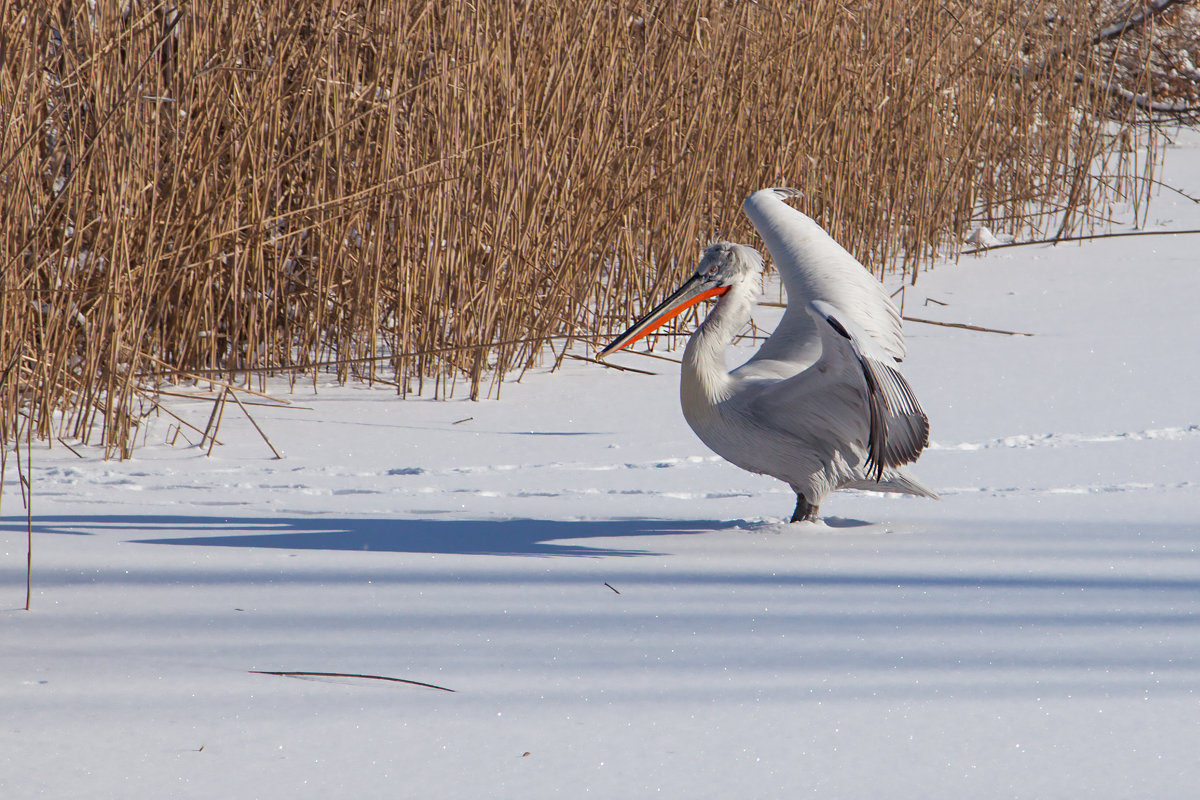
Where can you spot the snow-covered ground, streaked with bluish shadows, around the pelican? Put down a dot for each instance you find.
(621, 613)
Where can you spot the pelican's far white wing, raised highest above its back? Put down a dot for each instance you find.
(814, 267)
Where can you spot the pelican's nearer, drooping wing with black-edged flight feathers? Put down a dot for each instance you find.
(898, 428)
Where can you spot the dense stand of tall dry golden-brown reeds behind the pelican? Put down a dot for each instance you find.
(422, 191)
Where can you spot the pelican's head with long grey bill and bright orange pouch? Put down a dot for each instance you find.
(724, 267)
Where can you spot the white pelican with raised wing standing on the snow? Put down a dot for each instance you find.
(821, 406)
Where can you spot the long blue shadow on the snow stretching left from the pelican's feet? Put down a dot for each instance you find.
(380, 536)
